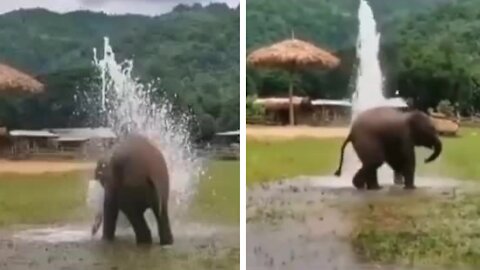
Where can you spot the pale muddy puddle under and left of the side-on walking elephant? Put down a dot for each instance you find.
(305, 223)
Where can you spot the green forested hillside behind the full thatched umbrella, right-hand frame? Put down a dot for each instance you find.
(428, 48)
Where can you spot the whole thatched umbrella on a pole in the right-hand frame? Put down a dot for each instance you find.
(292, 55)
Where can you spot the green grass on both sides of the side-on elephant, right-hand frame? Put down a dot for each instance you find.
(274, 160)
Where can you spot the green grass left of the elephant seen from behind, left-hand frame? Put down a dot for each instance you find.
(43, 198)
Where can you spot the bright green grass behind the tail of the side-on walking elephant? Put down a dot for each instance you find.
(269, 161)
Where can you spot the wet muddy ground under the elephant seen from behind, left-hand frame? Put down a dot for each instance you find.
(199, 246)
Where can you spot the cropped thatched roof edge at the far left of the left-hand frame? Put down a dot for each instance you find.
(15, 80)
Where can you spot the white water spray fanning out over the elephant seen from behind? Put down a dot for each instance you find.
(128, 106)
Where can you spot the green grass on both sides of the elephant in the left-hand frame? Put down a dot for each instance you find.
(60, 197)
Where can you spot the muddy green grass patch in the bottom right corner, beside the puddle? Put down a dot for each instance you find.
(420, 231)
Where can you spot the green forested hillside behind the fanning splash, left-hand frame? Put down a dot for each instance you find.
(193, 50)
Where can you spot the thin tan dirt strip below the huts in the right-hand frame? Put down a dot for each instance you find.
(286, 132)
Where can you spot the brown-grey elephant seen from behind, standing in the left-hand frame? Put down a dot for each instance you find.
(135, 178)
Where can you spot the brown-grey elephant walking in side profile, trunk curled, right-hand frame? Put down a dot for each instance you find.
(386, 135)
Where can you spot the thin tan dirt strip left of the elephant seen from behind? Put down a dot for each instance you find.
(37, 167)
